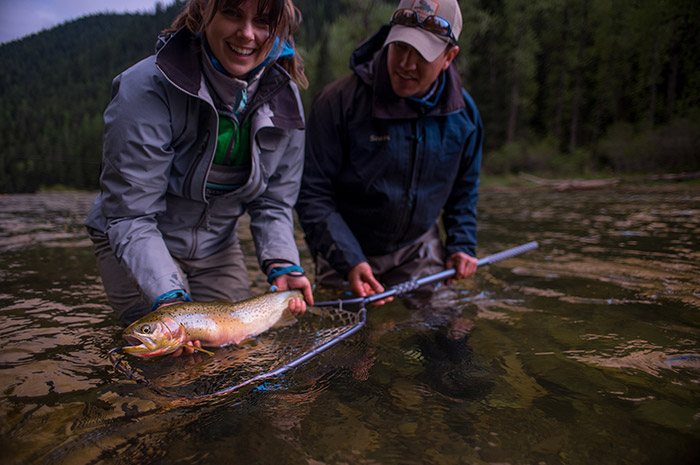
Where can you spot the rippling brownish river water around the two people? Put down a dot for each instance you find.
(583, 351)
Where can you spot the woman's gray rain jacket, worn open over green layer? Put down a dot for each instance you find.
(159, 142)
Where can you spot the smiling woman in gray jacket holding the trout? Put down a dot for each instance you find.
(209, 127)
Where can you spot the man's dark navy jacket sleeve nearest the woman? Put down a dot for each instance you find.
(326, 231)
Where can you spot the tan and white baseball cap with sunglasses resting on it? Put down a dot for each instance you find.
(429, 44)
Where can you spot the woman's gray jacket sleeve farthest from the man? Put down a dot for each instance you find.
(135, 169)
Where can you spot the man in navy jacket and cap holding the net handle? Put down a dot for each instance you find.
(388, 149)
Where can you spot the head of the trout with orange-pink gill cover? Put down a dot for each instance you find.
(151, 336)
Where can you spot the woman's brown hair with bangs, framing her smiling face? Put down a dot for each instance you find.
(284, 19)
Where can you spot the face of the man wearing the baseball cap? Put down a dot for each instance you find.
(410, 74)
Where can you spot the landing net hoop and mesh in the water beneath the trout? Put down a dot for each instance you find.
(231, 368)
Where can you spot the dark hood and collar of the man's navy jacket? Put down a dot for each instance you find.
(368, 61)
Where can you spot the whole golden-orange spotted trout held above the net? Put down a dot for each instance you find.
(214, 324)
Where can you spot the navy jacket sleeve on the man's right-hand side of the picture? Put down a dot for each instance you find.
(459, 215)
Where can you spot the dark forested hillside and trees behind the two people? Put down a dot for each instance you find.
(565, 87)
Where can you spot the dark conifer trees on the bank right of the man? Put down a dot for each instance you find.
(597, 64)
